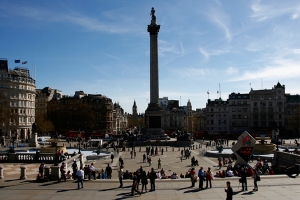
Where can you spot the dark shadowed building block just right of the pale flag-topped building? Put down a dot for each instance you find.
(86, 112)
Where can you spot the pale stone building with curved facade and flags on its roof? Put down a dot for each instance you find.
(18, 88)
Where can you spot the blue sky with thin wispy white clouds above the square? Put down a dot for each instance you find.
(102, 47)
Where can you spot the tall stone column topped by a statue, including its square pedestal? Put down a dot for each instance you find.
(154, 111)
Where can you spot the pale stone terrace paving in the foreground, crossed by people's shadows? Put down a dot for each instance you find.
(275, 188)
